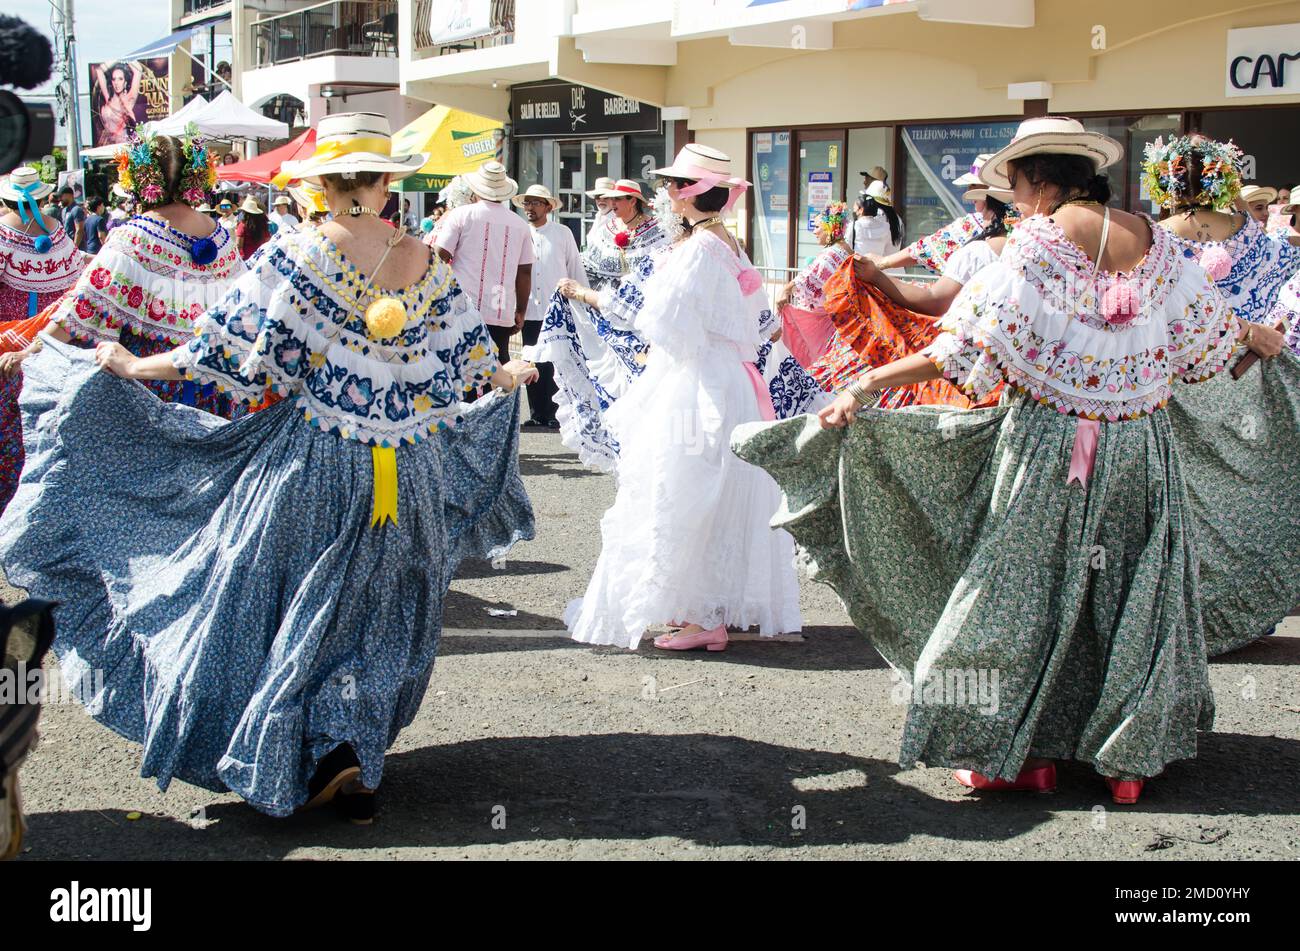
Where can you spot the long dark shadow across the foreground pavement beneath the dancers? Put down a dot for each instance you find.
(704, 789)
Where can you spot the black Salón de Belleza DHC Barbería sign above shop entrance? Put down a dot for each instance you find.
(567, 111)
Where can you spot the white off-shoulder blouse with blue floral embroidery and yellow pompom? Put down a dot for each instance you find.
(296, 324)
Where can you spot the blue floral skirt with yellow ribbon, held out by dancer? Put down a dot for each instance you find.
(226, 577)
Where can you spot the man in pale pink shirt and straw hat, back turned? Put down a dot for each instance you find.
(491, 253)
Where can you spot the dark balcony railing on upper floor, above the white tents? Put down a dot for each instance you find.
(346, 28)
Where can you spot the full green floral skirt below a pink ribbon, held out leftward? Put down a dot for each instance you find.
(960, 552)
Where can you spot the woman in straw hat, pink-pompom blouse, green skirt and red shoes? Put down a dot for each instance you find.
(1030, 567)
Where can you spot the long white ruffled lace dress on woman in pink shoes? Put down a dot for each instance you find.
(688, 539)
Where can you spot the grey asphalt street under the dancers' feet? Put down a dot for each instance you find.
(532, 746)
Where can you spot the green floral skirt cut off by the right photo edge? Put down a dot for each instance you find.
(1240, 445)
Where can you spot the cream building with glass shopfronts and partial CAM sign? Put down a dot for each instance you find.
(808, 94)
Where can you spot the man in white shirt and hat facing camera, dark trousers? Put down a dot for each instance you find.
(556, 259)
